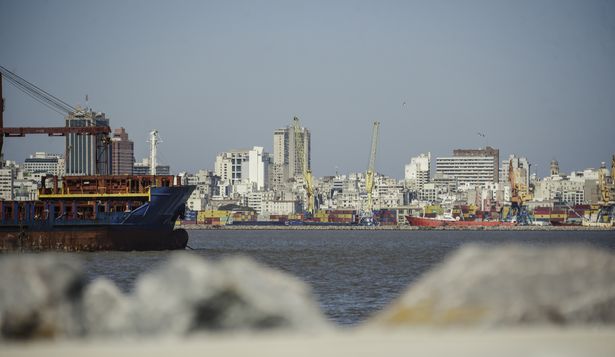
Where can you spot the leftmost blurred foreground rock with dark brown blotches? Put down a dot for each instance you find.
(38, 294)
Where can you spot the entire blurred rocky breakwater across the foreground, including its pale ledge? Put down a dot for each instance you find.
(478, 287)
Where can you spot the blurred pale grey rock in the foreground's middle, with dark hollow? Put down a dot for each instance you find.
(189, 294)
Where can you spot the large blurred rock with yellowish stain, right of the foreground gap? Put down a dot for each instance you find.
(511, 285)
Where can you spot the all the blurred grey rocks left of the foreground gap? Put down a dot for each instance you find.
(44, 296)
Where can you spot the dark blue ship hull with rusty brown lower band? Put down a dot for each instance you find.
(149, 226)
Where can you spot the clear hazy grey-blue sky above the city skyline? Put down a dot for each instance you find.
(537, 77)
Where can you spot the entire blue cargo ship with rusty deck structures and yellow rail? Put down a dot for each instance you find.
(93, 213)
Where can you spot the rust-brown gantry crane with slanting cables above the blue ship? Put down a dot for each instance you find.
(52, 103)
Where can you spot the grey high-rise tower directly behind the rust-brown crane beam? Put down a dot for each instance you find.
(87, 154)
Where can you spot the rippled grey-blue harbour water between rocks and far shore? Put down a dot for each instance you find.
(352, 273)
